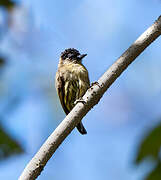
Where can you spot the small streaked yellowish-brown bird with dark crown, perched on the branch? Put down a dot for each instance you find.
(71, 81)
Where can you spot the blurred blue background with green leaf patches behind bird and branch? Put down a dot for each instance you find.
(124, 131)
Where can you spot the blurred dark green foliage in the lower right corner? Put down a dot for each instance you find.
(150, 149)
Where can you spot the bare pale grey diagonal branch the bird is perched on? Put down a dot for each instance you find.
(92, 97)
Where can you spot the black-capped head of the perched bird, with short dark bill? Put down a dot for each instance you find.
(72, 55)
